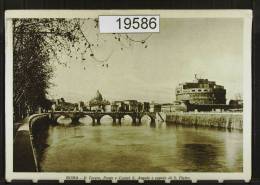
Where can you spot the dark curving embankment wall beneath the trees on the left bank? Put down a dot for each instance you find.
(26, 142)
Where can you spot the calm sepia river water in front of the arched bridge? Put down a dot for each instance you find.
(162, 147)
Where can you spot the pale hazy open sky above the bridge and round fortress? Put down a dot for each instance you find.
(210, 48)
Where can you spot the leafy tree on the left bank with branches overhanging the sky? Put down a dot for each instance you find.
(37, 42)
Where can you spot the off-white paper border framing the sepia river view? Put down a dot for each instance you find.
(246, 15)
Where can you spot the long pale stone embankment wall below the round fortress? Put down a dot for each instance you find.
(208, 119)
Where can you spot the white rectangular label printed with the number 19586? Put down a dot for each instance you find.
(129, 24)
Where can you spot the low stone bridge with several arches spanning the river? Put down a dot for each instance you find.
(96, 116)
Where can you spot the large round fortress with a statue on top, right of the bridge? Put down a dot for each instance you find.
(201, 92)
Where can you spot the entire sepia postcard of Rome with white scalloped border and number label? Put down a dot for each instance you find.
(128, 95)
